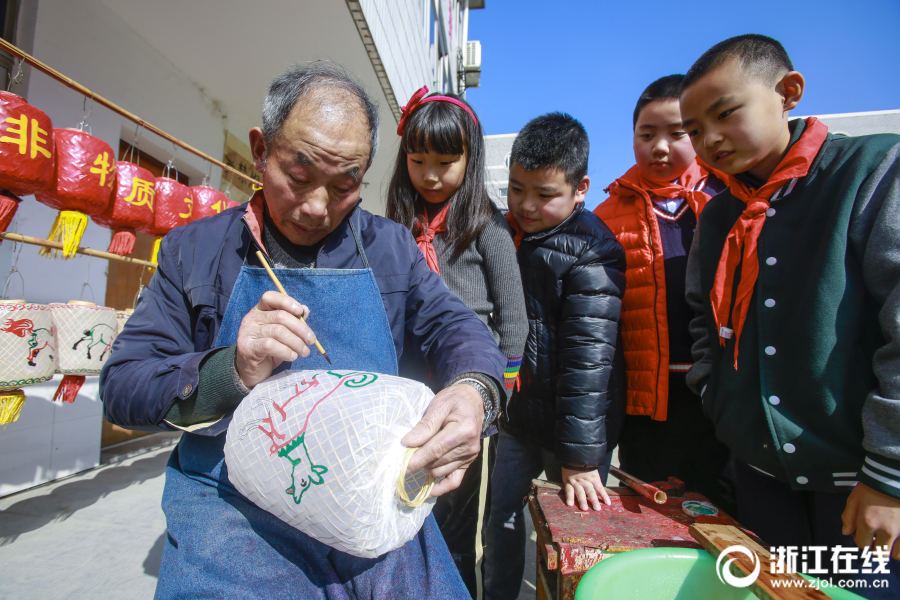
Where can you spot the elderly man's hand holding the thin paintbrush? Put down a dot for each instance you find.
(270, 334)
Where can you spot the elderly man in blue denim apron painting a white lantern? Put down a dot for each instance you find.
(206, 331)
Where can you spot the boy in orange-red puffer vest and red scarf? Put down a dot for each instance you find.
(652, 209)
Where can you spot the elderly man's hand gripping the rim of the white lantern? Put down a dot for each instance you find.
(448, 436)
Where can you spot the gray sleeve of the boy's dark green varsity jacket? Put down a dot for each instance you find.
(875, 235)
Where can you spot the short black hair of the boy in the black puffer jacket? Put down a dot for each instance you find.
(553, 141)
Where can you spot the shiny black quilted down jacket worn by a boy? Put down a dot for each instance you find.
(571, 398)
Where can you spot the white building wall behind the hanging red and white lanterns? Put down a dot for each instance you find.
(93, 46)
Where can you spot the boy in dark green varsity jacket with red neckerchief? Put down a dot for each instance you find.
(798, 281)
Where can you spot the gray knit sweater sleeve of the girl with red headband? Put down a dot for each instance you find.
(504, 281)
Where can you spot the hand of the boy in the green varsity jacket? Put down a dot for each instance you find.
(872, 514)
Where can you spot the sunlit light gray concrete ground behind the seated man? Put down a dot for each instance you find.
(99, 534)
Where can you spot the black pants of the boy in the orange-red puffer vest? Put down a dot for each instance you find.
(682, 446)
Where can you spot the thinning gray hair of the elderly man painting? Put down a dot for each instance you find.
(287, 88)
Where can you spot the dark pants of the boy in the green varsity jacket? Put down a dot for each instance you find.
(781, 516)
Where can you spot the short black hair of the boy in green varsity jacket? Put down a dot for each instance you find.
(758, 55)
